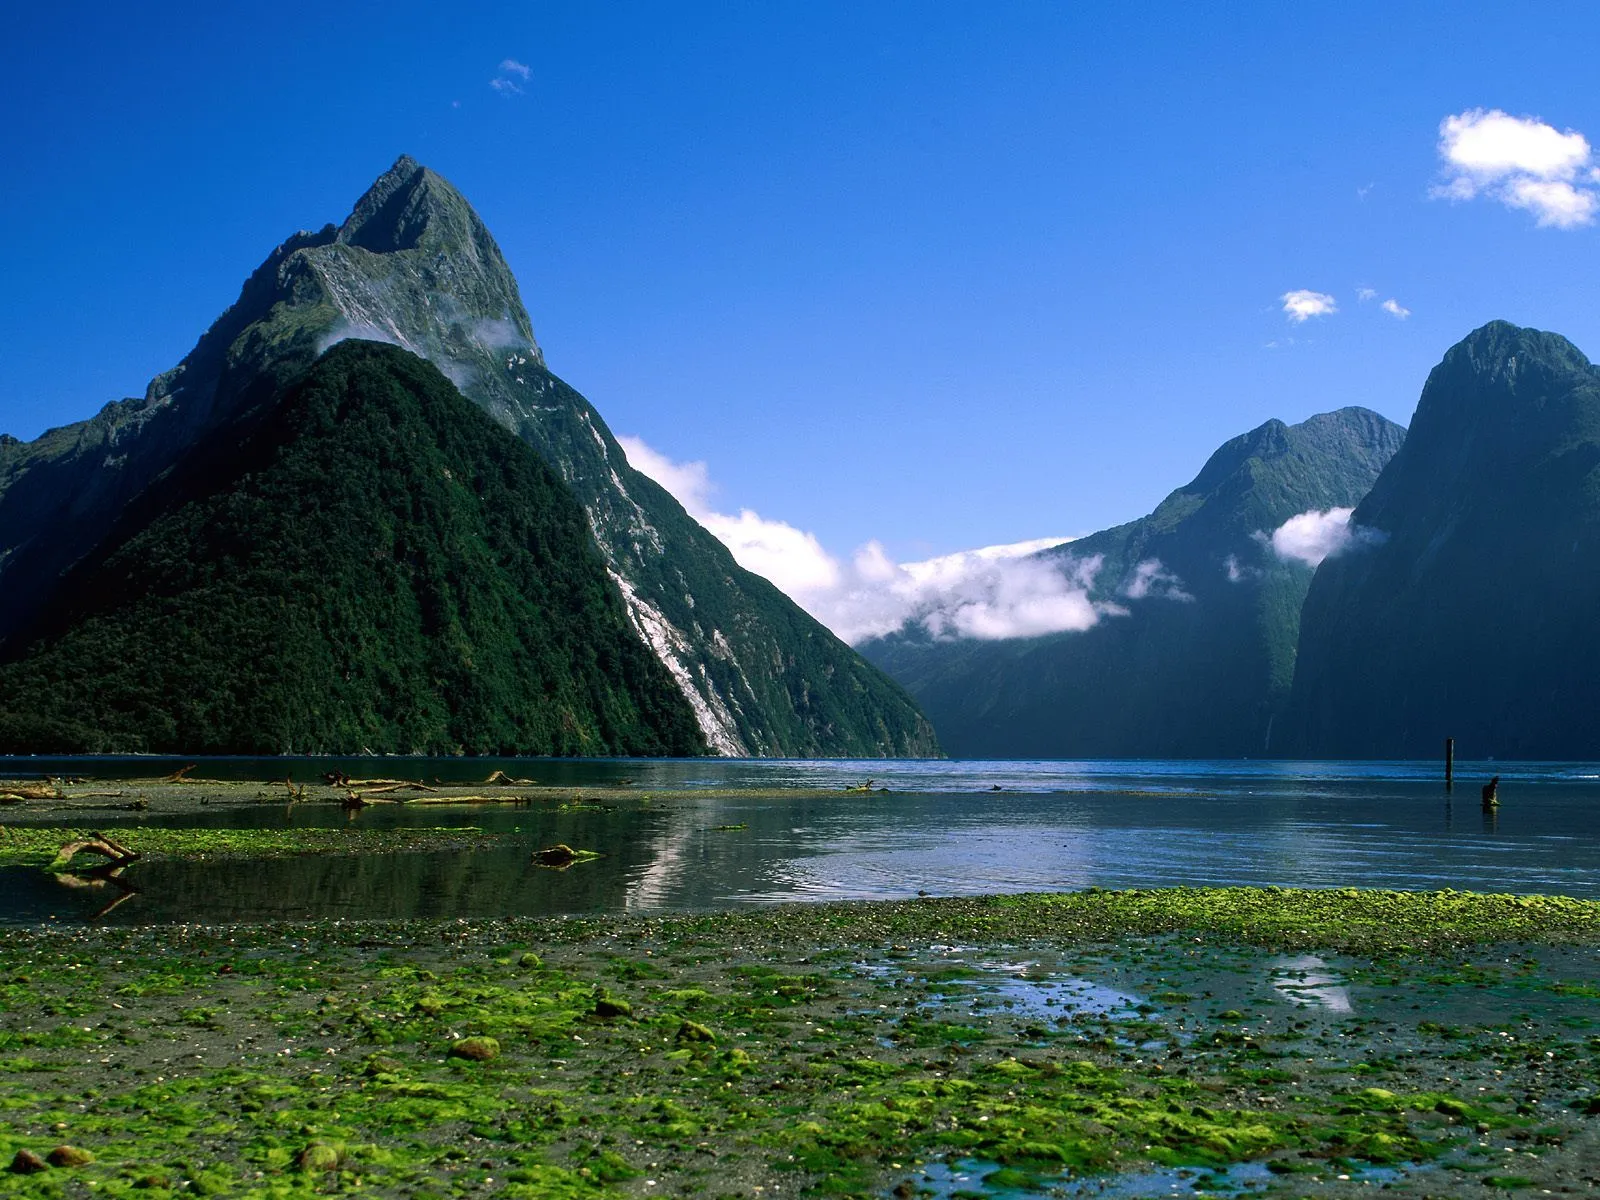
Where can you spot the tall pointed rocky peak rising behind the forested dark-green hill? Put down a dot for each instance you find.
(415, 266)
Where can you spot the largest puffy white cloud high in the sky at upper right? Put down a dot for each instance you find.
(1522, 164)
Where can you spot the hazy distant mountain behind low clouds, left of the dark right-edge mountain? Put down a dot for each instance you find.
(1193, 657)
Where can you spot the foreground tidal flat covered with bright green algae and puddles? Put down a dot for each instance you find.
(1134, 1042)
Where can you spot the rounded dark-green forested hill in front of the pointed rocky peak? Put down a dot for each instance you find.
(375, 566)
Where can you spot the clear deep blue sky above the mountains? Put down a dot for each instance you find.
(937, 276)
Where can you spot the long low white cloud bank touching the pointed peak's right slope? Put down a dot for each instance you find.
(993, 593)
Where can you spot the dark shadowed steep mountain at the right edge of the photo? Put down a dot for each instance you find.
(1476, 615)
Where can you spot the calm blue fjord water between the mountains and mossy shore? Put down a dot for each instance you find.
(942, 828)
